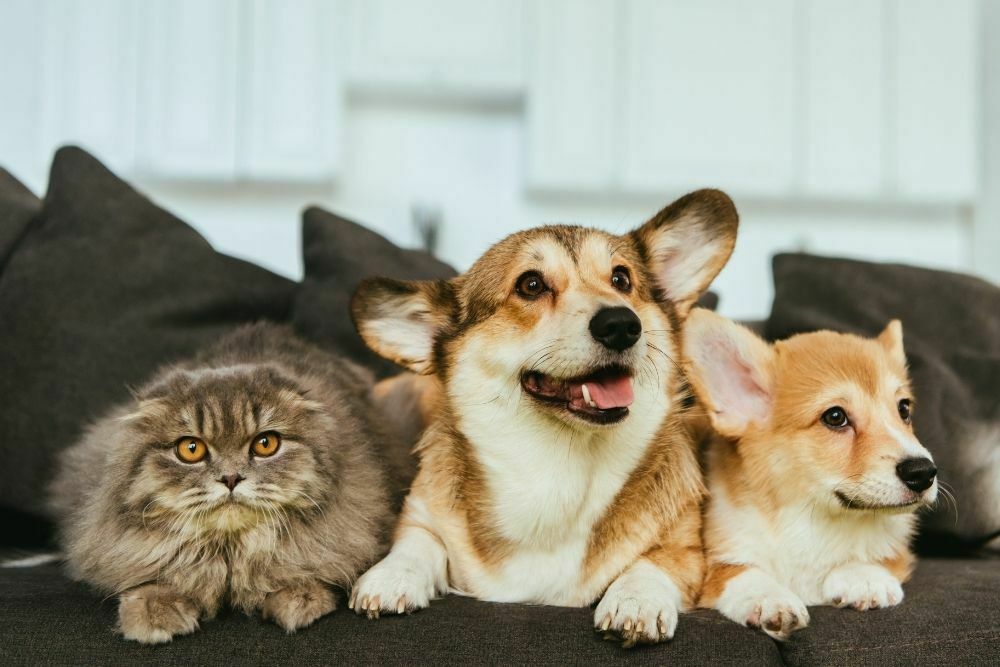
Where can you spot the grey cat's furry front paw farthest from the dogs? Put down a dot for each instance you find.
(155, 614)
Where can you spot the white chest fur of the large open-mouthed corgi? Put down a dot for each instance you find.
(548, 488)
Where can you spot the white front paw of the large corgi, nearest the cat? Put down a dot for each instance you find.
(396, 585)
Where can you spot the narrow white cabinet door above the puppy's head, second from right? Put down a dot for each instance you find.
(845, 97)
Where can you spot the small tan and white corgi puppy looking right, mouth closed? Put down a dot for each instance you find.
(815, 476)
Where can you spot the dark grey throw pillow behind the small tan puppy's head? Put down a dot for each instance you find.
(951, 330)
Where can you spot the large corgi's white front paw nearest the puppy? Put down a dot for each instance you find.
(640, 606)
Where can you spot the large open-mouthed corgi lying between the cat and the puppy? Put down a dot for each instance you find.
(557, 468)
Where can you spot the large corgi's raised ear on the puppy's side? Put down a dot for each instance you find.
(687, 243)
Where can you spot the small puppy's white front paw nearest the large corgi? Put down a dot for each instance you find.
(756, 600)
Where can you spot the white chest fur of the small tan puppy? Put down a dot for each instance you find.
(799, 546)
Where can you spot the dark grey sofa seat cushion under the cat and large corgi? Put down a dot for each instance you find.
(39, 604)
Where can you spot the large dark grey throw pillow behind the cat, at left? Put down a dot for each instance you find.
(102, 289)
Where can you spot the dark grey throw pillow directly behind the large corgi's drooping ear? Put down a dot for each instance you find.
(338, 254)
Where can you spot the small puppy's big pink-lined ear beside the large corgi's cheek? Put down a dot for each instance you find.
(731, 371)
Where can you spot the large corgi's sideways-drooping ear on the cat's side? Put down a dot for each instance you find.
(400, 320)
